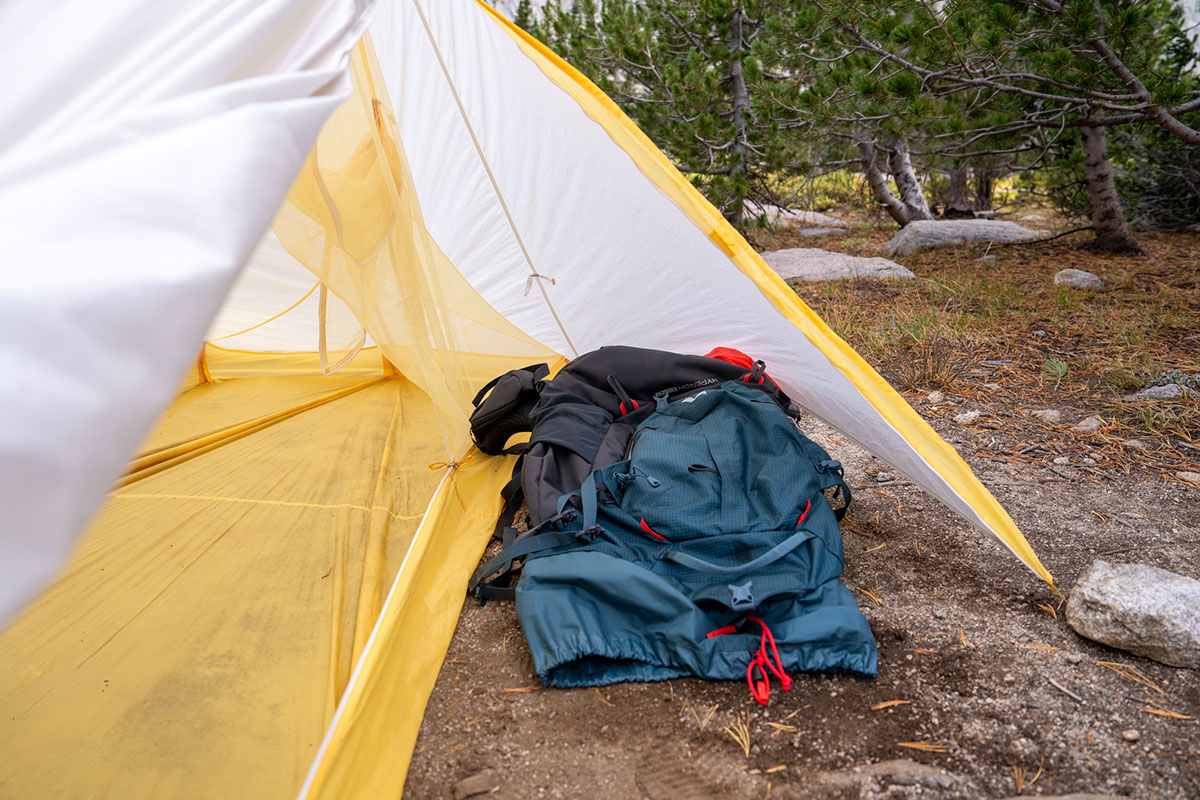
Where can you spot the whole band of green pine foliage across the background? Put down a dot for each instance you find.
(745, 95)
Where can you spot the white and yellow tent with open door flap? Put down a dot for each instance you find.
(262, 604)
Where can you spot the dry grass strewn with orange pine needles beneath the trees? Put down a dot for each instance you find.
(965, 324)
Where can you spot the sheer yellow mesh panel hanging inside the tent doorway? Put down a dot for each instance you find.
(353, 219)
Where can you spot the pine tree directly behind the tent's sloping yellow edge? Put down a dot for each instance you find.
(689, 73)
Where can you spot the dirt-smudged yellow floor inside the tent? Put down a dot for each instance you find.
(199, 640)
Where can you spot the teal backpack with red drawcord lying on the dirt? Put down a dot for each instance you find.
(705, 546)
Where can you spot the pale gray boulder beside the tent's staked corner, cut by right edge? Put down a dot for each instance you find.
(1147, 611)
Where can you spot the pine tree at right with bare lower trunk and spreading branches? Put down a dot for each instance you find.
(999, 79)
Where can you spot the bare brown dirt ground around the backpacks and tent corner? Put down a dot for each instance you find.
(983, 689)
